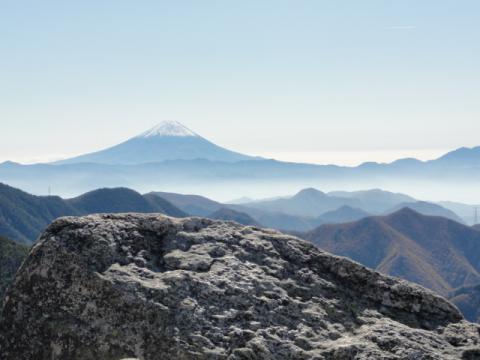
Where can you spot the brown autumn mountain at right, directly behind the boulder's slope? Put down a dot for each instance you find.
(432, 251)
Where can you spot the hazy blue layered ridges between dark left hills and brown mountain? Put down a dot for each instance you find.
(310, 208)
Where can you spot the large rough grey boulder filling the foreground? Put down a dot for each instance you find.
(152, 287)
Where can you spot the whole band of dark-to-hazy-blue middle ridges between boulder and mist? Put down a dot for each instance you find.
(23, 216)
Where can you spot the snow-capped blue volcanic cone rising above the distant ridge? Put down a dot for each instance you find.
(169, 140)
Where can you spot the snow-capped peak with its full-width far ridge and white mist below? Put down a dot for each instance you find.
(170, 156)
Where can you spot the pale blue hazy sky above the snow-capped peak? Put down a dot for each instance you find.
(318, 81)
